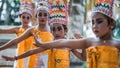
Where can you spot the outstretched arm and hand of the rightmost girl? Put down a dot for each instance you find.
(62, 43)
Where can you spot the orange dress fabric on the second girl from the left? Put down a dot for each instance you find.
(34, 59)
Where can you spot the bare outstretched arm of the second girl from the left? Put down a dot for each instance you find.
(15, 41)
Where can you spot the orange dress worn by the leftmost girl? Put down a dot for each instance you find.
(22, 47)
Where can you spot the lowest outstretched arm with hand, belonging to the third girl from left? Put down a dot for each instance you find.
(26, 54)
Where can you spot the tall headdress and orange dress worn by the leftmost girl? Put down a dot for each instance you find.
(25, 44)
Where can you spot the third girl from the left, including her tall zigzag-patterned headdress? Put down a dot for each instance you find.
(59, 29)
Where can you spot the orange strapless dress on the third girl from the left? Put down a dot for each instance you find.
(62, 58)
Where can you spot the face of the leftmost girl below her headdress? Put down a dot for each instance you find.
(25, 18)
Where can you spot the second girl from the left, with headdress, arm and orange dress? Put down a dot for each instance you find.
(42, 29)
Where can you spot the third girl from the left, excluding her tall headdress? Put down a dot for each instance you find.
(61, 56)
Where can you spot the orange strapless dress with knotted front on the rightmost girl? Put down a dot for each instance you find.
(102, 57)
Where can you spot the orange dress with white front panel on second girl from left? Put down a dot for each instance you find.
(42, 59)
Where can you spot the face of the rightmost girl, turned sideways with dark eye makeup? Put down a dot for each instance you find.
(100, 25)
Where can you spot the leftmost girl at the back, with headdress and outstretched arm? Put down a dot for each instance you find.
(25, 15)
